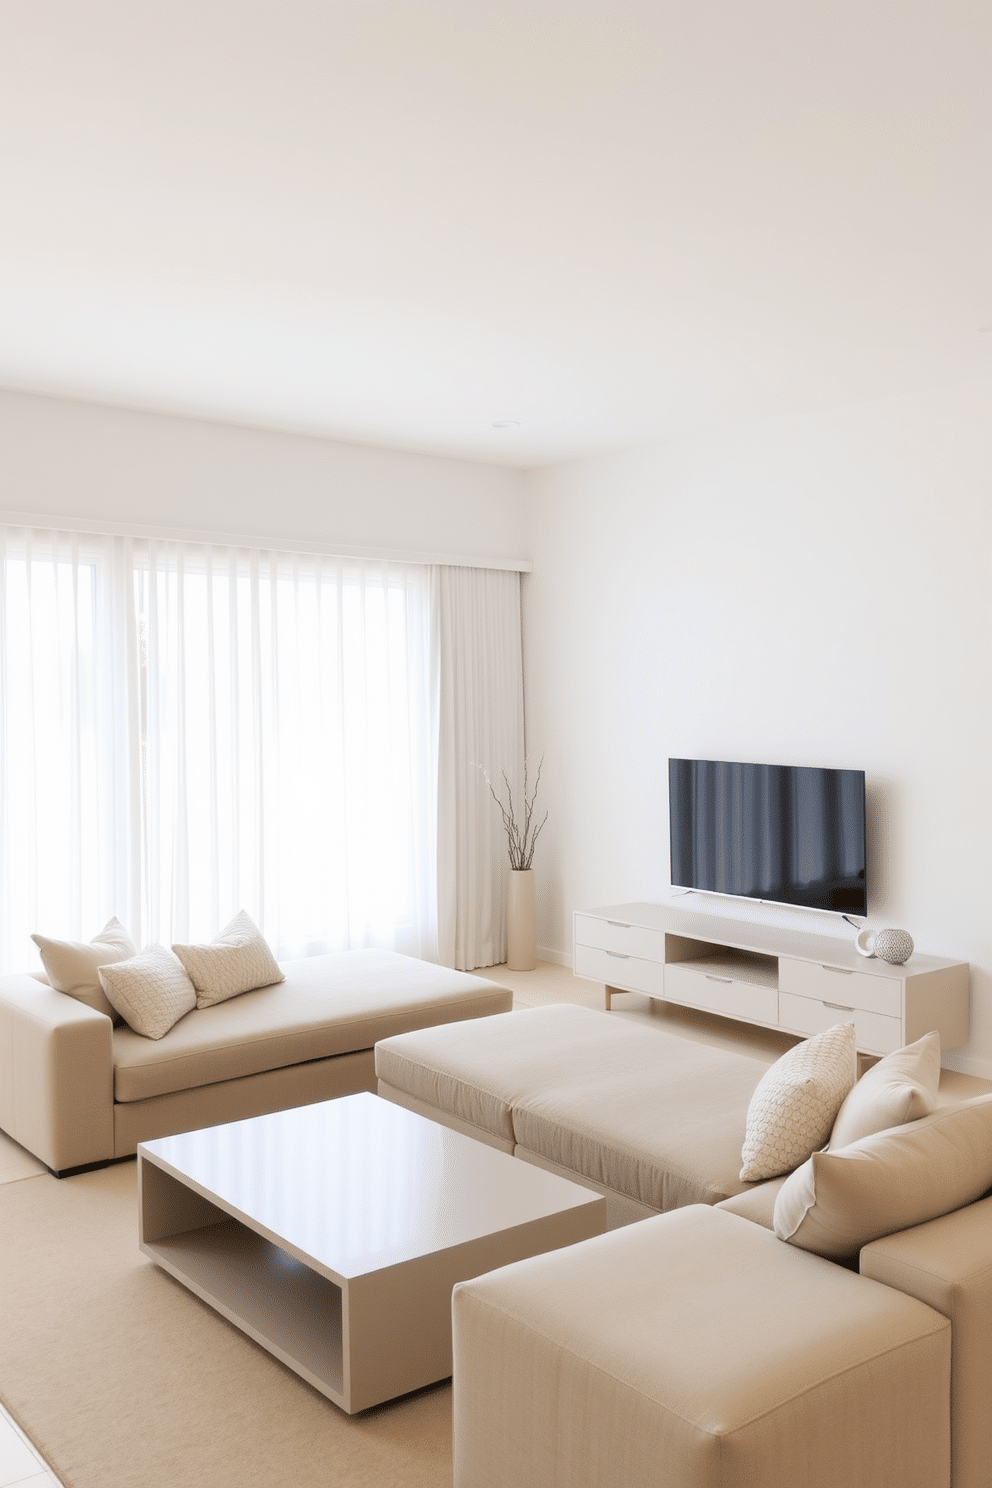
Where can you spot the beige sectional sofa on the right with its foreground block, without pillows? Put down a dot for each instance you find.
(697, 1349)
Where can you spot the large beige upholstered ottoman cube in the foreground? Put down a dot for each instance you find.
(697, 1350)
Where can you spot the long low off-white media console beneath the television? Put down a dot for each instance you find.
(777, 978)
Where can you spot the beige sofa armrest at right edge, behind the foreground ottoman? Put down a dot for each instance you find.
(948, 1264)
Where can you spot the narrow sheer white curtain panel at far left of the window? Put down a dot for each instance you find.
(66, 767)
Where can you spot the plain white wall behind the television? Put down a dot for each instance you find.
(804, 591)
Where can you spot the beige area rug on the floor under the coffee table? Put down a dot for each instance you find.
(123, 1379)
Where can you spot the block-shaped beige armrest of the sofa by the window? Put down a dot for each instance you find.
(56, 1075)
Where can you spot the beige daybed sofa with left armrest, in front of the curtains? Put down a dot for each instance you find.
(75, 1090)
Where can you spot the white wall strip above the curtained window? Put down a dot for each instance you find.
(83, 461)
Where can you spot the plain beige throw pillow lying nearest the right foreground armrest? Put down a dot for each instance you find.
(892, 1181)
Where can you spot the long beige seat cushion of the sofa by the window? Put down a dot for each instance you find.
(328, 1005)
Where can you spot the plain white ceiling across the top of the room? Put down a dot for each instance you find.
(402, 221)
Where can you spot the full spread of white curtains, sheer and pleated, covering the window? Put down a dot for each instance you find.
(191, 730)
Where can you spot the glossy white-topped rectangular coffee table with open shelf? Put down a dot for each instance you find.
(334, 1234)
